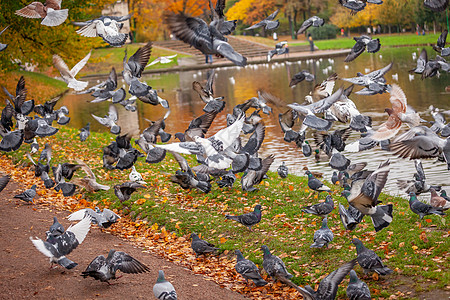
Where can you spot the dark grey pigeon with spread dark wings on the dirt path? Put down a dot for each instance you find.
(104, 269)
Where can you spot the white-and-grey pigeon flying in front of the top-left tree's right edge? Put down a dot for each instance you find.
(106, 27)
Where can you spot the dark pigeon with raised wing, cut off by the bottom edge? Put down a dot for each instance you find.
(329, 285)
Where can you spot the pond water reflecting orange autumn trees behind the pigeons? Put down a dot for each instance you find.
(239, 84)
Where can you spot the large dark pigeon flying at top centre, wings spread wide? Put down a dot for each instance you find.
(209, 39)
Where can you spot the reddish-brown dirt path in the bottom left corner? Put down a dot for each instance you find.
(26, 274)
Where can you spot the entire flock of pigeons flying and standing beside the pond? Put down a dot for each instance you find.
(223, 155)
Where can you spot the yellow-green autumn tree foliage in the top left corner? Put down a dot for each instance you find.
(32, 43)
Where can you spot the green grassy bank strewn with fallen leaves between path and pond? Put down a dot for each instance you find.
(417, 250)
